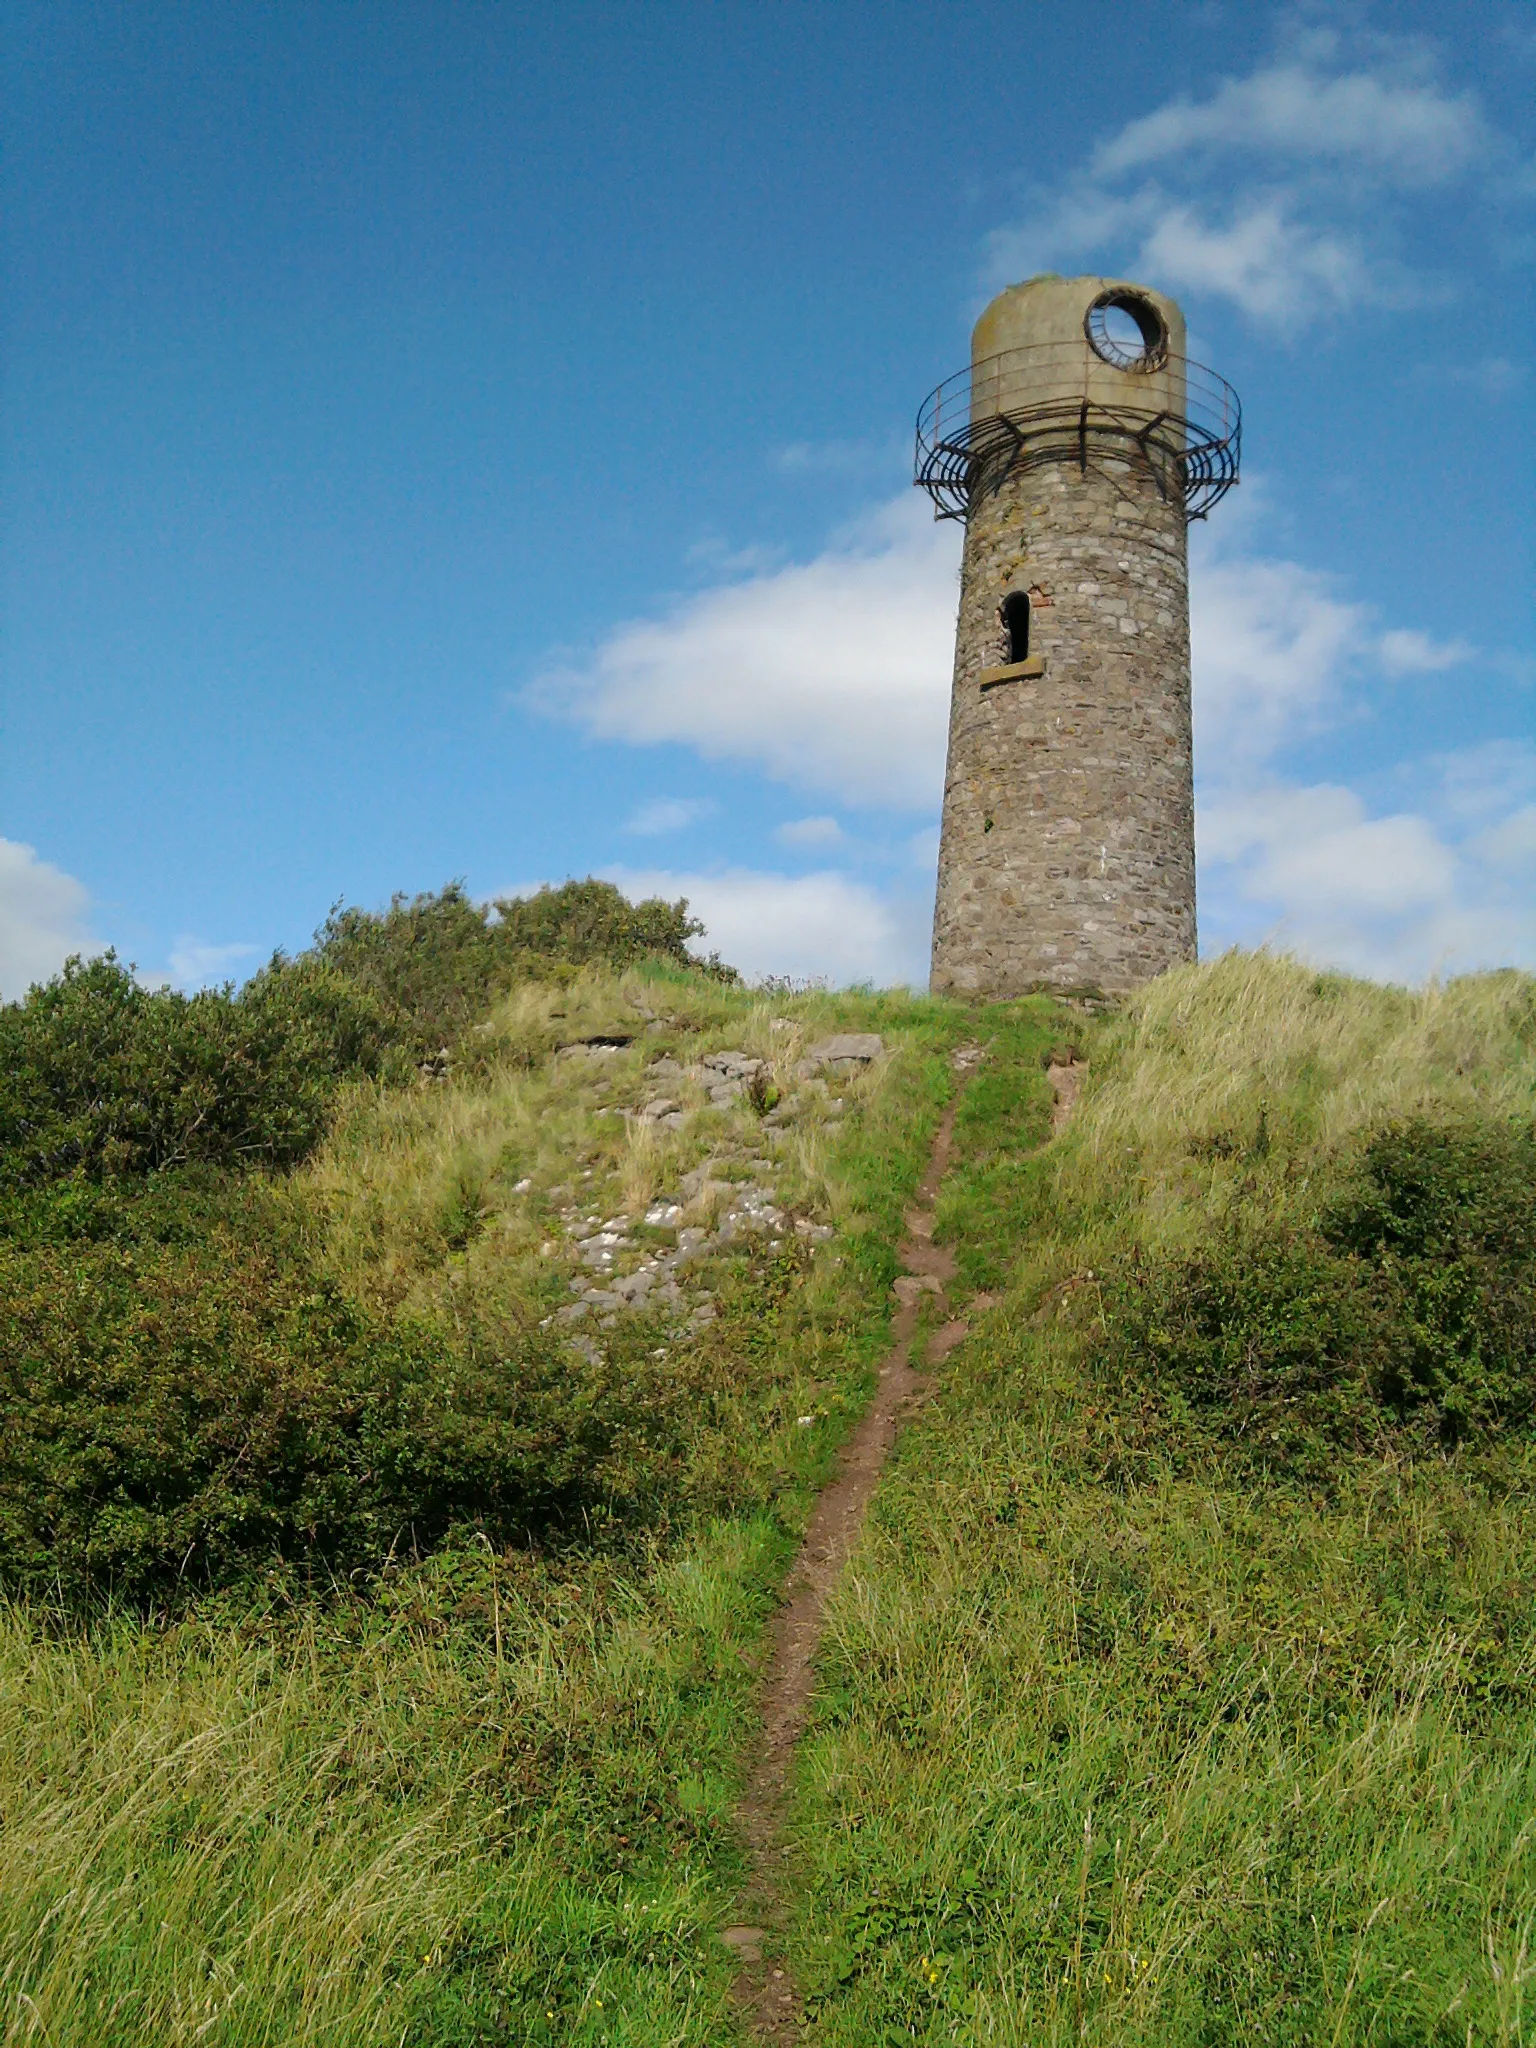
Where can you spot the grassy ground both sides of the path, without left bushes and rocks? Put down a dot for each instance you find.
(1138, 1723)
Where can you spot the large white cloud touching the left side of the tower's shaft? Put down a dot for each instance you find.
(828, 675)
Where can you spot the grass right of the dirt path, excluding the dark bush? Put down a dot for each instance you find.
(1123, 1736)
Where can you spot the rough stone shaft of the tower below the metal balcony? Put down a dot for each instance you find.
(1068, 845)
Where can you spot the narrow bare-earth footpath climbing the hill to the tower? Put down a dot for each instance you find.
(765, 1994)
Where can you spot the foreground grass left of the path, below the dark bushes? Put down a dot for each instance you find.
(499, 1795)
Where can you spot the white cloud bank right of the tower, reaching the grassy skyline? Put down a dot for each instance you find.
(1433, 886)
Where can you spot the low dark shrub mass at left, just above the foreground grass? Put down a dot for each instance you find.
(183, 1412)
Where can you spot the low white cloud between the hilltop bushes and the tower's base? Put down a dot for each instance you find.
(798, 925)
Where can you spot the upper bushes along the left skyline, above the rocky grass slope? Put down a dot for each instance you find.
(105, 1078)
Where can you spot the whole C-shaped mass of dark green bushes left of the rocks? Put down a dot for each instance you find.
(187, 1392)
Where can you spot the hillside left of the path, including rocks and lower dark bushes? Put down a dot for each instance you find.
(552, 1349)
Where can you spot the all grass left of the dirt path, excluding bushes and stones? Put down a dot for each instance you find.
(486, 1797)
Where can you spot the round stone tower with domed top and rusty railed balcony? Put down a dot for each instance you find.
(1076, 450)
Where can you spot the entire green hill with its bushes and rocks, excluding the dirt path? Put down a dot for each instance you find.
(398, 1488)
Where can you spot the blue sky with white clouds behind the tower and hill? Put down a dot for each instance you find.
(474, 441)
